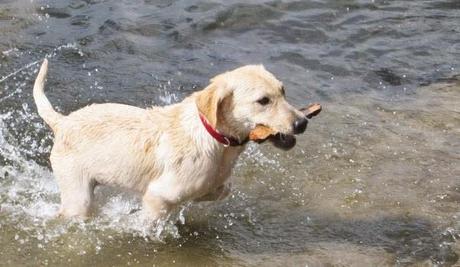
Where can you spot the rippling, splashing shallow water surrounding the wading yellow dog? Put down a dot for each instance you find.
(374, 181)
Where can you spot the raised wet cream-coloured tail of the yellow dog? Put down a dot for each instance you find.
(45, 110)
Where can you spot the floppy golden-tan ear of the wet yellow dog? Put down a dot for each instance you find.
(209, 99)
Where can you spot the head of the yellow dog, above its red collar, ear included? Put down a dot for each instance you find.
(237, 101)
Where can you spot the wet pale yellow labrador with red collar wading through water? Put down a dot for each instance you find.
(172, 154)
